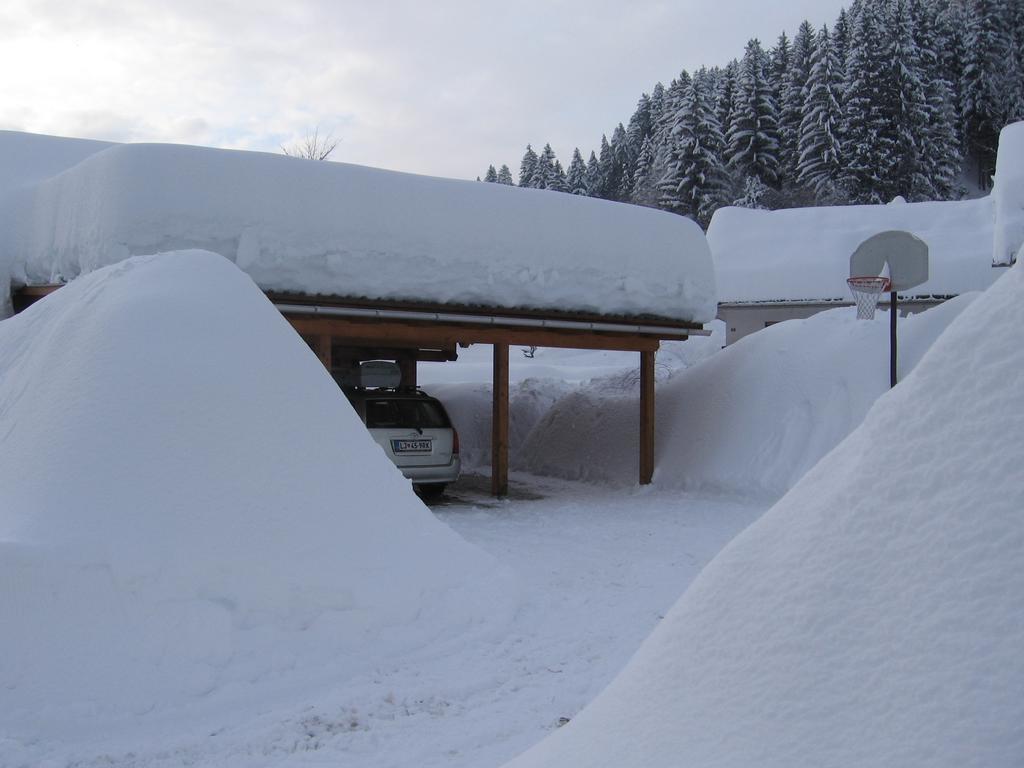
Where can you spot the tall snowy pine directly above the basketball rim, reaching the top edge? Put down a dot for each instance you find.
(869, 145)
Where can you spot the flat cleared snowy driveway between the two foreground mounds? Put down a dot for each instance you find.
(595, 573)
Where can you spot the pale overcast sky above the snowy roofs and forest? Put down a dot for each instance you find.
(436, 88)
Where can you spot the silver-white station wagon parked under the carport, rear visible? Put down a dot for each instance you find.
(415, 432)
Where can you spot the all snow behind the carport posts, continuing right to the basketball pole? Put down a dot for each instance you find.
(751, 419)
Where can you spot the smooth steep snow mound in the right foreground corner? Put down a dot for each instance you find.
(875, 616)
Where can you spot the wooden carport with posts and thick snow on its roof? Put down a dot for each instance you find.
(367, 264)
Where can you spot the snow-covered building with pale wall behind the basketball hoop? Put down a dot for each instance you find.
(778, 266)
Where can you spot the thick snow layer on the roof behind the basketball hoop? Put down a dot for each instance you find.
(803, 254)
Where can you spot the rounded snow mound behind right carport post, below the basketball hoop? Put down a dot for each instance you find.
(752, 419)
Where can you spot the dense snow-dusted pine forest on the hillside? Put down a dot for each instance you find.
(897, 98)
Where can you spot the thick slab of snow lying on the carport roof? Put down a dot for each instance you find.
(348, 231)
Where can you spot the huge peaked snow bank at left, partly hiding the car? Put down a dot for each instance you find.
(193, 514)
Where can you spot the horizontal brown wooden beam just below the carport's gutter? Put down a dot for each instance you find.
(436, 335)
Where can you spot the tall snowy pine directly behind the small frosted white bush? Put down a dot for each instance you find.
(753, 137)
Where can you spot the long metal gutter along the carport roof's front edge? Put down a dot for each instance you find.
(488, 320)
